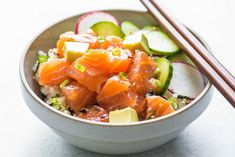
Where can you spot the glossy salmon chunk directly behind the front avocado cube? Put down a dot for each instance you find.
(116, 95)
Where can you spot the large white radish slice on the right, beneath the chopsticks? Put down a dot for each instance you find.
(187, 80)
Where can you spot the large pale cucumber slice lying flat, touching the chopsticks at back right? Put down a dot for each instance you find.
(161, 44)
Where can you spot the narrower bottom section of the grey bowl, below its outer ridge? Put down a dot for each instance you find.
(107, 147)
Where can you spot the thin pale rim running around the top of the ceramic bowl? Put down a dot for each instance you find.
(77, 119)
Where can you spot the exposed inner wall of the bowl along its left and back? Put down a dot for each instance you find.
(48, 38)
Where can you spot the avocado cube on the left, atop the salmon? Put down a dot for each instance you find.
(74, 50)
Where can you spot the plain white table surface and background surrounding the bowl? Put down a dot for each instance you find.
(22, 134)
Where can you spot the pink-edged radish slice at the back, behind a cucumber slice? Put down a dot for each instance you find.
(87, 20)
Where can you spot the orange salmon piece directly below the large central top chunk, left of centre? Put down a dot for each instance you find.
(93, 83)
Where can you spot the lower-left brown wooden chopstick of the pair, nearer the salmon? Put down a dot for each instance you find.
(215, 78)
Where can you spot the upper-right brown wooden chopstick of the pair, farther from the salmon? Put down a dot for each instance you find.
(196, 44)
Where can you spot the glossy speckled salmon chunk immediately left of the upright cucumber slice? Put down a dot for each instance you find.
(141, 71)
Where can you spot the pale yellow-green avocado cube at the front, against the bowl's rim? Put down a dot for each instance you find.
(125, 115)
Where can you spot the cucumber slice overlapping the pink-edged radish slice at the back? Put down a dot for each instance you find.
(105, 28)
